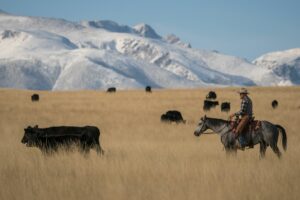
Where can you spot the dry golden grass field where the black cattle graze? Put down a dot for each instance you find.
(144, 158)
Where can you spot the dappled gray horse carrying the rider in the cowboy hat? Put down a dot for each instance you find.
(266, 135)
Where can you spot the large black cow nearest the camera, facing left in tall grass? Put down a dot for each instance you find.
(51, 139)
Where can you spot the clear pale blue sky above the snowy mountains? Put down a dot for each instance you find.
(244, 28)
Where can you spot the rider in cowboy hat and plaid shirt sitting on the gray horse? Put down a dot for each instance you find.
(245, 114)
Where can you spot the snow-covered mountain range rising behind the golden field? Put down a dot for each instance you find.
(55, 54)
